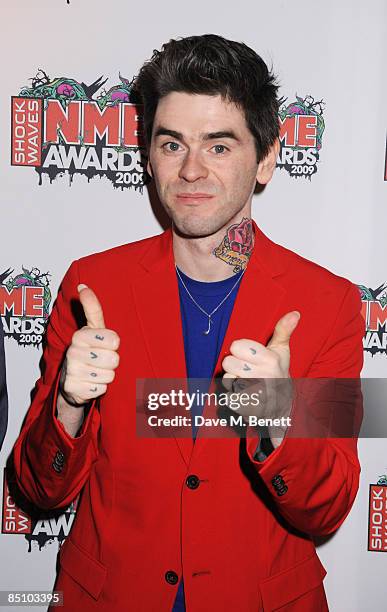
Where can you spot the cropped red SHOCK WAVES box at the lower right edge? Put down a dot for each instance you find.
(377, 525)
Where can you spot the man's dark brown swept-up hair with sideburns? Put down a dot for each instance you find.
(210, 64)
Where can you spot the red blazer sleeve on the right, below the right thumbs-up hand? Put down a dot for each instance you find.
(314, 480)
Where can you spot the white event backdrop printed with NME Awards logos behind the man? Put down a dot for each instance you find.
(73, 183)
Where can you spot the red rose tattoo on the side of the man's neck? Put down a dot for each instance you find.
(237, 245)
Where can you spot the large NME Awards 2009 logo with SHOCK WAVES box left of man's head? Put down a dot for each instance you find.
(63, 126)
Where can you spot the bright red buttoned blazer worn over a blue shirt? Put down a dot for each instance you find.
(139, 527)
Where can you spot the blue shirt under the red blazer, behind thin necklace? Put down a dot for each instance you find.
(202, 350)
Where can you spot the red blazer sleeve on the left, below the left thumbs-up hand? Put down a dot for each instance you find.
(50, 466)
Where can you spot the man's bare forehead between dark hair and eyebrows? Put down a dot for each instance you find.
(198, 113)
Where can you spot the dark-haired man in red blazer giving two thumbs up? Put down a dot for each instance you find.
(204, 524)
